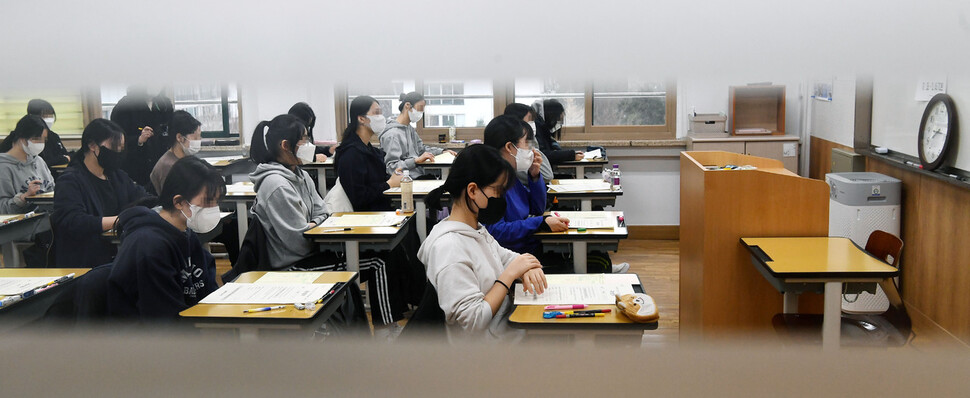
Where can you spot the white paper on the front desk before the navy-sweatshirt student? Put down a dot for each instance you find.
(262, 293)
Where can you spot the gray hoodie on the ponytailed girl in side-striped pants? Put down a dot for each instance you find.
(285, 204)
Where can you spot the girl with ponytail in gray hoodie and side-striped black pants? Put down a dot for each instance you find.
(287, 205)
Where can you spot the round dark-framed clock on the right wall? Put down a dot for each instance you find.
(937, 130)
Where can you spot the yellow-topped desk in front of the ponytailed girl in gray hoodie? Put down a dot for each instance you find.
(359, 238)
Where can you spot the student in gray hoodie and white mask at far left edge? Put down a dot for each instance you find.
(22, 171)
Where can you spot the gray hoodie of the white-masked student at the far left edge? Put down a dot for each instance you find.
(15, 177)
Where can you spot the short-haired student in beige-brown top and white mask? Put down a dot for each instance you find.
(184, 138)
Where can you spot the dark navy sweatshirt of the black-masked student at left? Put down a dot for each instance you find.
(77, 216)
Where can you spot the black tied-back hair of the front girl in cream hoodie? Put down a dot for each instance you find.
(477, 164)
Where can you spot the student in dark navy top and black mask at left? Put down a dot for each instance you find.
(90, 195)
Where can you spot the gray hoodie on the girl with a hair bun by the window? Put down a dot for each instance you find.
(402, 145)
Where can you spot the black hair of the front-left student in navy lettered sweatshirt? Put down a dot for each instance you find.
(189, 176)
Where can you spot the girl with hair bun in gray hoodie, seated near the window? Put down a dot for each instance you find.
(402, 146)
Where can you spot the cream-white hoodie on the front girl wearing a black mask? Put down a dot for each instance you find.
(463, 264)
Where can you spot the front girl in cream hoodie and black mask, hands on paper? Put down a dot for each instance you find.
(472, 272)
